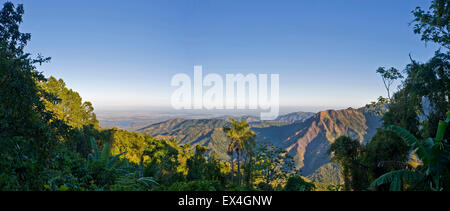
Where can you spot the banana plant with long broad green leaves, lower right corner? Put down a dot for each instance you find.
(433, 154)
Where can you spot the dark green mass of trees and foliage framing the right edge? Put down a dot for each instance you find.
(401, 155)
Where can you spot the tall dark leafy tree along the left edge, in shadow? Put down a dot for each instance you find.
(28, 134)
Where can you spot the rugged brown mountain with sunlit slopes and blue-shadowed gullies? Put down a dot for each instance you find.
(308, 142)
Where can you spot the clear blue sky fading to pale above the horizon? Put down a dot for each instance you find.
(123, 54)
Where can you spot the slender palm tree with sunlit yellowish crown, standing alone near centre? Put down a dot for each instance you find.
(241, 136)
